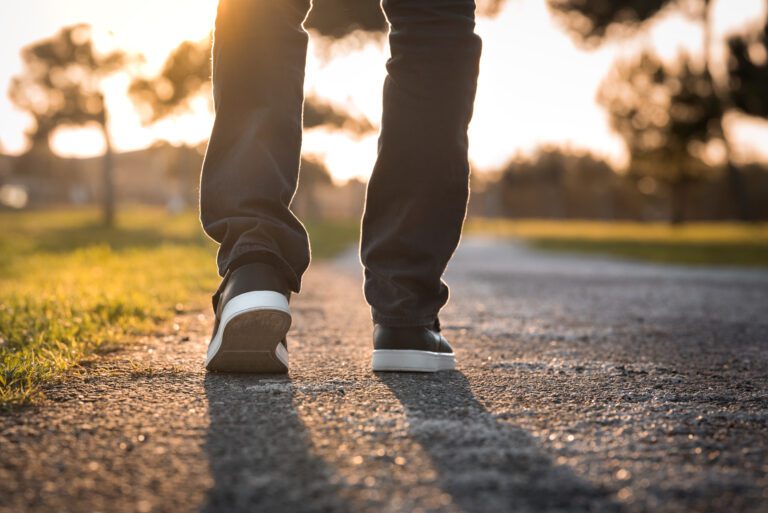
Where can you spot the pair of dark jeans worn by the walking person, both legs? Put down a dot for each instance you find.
(417, 196)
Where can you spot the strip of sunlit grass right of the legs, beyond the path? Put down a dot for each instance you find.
(733, 244)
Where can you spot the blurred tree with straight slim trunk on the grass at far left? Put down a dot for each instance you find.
(61, 86)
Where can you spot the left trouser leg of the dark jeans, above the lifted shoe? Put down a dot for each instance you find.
(252, 162)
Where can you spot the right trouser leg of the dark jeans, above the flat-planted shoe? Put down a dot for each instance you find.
(417, 195)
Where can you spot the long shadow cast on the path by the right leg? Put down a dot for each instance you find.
(484, 464)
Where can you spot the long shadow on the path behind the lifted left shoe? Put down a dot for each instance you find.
(259, 451)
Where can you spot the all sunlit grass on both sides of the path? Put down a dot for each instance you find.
(69, 286)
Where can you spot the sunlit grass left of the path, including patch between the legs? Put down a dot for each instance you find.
(69, 286)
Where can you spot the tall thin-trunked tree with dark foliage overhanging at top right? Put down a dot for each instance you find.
(592, 21)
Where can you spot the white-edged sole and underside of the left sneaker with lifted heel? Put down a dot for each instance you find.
(250, 334)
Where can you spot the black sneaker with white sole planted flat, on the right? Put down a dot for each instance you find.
(412, 349)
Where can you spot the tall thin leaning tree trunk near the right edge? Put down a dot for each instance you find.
(735, 181)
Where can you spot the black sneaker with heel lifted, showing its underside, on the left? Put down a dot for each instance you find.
(252, 319)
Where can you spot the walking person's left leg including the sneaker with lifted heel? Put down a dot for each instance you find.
(249, 177)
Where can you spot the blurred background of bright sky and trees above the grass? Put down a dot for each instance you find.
(652, 110)
